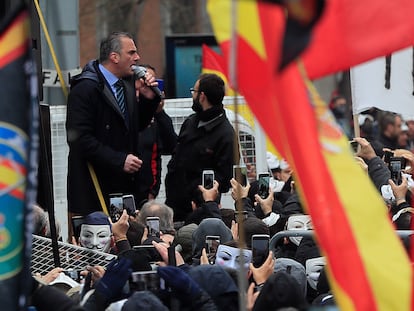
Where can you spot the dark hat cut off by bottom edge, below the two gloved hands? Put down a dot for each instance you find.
(143, 301)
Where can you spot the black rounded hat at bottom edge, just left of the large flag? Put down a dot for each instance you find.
(281, 290)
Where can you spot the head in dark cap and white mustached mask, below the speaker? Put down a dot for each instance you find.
(96, 232)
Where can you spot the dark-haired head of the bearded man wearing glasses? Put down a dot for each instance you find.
(208, 91)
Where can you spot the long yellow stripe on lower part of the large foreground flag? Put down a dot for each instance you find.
(368, 217)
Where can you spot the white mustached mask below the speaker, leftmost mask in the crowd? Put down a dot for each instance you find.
(96, 237)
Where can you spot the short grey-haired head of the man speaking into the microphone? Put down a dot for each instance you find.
(118, 53)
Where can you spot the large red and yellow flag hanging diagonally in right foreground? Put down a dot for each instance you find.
(350, 219)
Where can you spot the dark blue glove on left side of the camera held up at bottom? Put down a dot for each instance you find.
(114, 279)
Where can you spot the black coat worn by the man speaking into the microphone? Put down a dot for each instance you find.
(98, 133)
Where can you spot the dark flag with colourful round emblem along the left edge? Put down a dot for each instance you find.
(18, 138)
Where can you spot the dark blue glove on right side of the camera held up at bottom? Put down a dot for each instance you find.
(180, 282)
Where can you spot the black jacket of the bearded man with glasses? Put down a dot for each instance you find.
(199, 148)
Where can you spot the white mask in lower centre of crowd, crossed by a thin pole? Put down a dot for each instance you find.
(229, 257)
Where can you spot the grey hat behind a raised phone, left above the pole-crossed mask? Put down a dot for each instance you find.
(209, 226)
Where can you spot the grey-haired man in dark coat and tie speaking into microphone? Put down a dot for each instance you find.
(104, 117)
